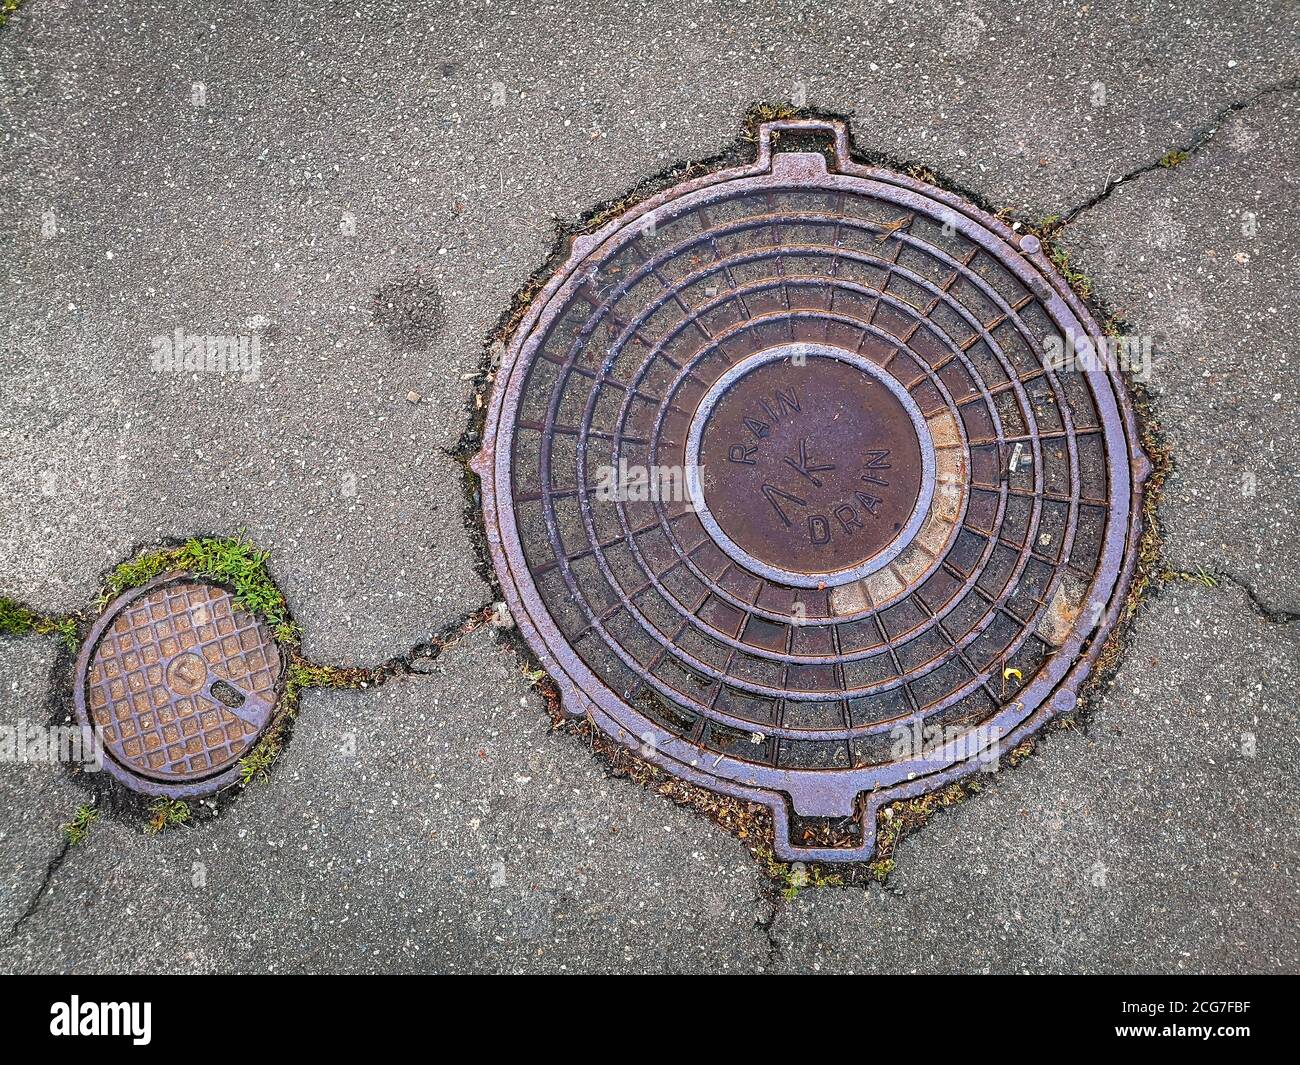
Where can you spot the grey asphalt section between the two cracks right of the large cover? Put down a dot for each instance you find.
(1202, 259)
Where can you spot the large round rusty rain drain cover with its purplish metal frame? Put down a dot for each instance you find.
(788, 488)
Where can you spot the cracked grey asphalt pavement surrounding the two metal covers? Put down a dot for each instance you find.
(363, 189)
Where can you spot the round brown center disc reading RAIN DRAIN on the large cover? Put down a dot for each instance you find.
(811, 466)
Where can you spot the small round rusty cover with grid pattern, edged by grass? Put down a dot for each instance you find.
(179, 683)
